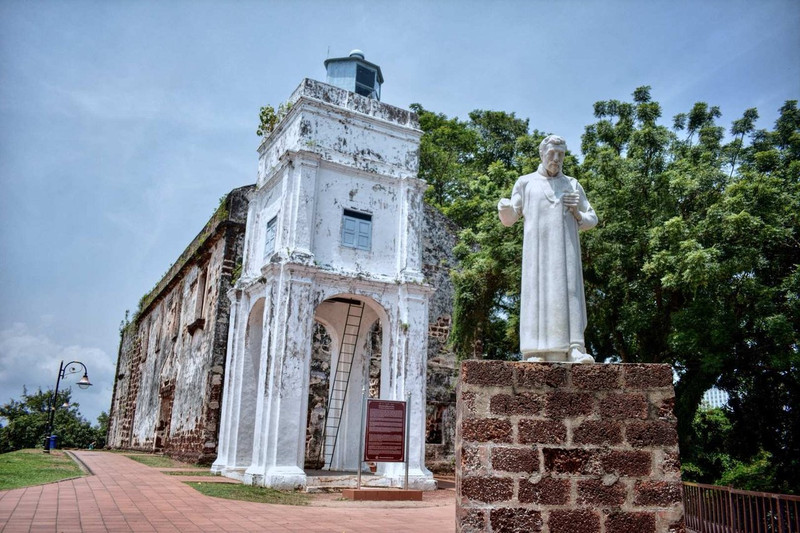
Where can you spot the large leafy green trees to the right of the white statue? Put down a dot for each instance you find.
(697, 267)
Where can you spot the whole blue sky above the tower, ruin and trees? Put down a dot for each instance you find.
(122, 123)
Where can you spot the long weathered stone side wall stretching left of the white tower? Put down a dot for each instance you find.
(173, 352)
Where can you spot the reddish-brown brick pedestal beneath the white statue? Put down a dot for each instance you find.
(563, 448)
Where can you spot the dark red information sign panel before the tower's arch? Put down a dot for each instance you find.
(385, 432)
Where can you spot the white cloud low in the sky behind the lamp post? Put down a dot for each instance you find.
(30, 359)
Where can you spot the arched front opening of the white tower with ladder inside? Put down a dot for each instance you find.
(345, 359)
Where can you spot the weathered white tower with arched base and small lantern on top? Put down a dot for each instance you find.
(333, 238)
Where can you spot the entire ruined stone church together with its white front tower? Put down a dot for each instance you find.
(327, 277)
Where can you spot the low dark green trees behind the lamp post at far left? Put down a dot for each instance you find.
(26, 425)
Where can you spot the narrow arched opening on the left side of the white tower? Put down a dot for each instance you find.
(251, 359)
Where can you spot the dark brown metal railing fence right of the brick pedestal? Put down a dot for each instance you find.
(713, 509)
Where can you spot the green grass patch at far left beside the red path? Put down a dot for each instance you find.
(24, 468)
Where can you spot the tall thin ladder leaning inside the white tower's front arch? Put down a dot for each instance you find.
(340, 379)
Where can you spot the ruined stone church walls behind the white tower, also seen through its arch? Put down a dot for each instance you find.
(150, 411)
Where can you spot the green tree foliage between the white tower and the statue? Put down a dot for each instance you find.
(469, 165)
